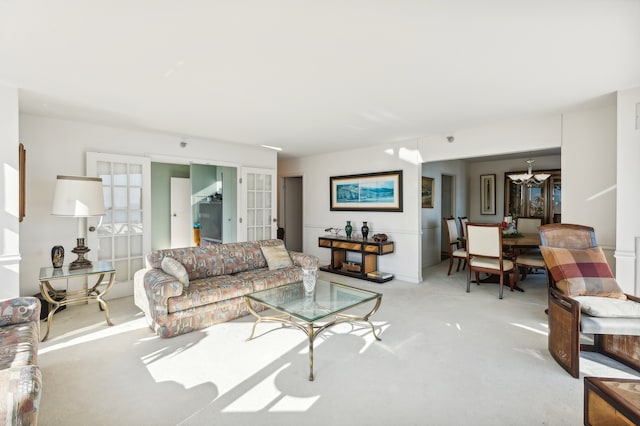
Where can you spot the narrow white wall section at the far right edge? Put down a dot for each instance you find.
(628, 202)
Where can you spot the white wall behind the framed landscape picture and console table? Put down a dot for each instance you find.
(402, 227)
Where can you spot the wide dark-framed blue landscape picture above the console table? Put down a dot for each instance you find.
(367, 192)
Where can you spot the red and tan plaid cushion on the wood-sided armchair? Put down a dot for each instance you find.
(581, 272)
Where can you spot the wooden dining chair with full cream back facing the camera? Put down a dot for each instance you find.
(484, 254)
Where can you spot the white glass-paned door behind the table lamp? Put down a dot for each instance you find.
(122, 236)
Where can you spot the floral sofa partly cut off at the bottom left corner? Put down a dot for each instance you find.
(20, 377)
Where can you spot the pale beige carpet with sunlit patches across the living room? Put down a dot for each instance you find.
(446, 358)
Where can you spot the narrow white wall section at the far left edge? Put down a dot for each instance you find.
(9, 184)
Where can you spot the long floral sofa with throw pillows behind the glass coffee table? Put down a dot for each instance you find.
(210, 288)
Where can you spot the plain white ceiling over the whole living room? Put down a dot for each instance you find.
(315, 76)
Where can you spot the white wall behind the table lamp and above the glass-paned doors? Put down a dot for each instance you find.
(57, 146)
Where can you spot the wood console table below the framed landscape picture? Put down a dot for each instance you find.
(367, 267)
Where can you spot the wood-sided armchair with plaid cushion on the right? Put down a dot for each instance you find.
(584, 297)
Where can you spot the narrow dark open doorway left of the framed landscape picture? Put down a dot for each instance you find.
(291, 220)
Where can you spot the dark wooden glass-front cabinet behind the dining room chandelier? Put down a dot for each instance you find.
(543, 200)
